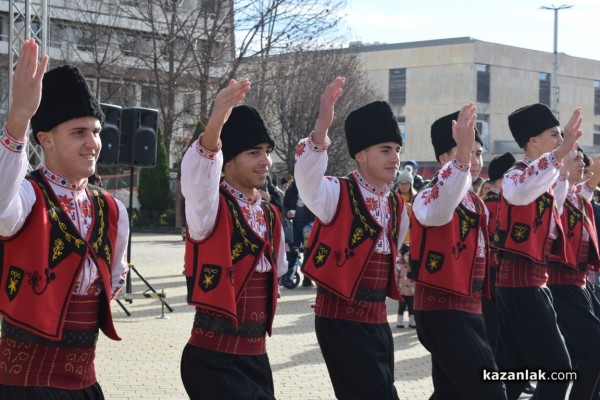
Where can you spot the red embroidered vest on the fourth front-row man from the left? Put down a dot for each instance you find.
(443, 257)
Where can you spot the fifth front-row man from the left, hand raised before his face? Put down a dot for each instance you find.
(529, 230)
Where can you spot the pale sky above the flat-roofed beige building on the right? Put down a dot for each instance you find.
(518, 23)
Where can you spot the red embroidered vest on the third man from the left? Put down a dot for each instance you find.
(337, 253)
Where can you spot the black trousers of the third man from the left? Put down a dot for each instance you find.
(359, 358)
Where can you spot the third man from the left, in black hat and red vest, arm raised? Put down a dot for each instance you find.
(353, 246)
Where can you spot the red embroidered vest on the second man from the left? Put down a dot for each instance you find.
(219, 267)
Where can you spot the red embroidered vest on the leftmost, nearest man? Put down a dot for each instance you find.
(41, 263)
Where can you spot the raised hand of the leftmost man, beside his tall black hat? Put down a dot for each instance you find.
(26, 89)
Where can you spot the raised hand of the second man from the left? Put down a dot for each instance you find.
(225, 100)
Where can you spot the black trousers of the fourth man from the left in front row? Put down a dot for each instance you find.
(459, 353)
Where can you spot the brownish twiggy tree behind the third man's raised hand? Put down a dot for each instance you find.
(292, 107)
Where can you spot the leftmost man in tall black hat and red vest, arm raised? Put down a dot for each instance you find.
(54, 300)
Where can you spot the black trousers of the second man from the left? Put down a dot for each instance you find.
(208, 374)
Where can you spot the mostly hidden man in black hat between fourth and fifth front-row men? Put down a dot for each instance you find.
(496, 170)
